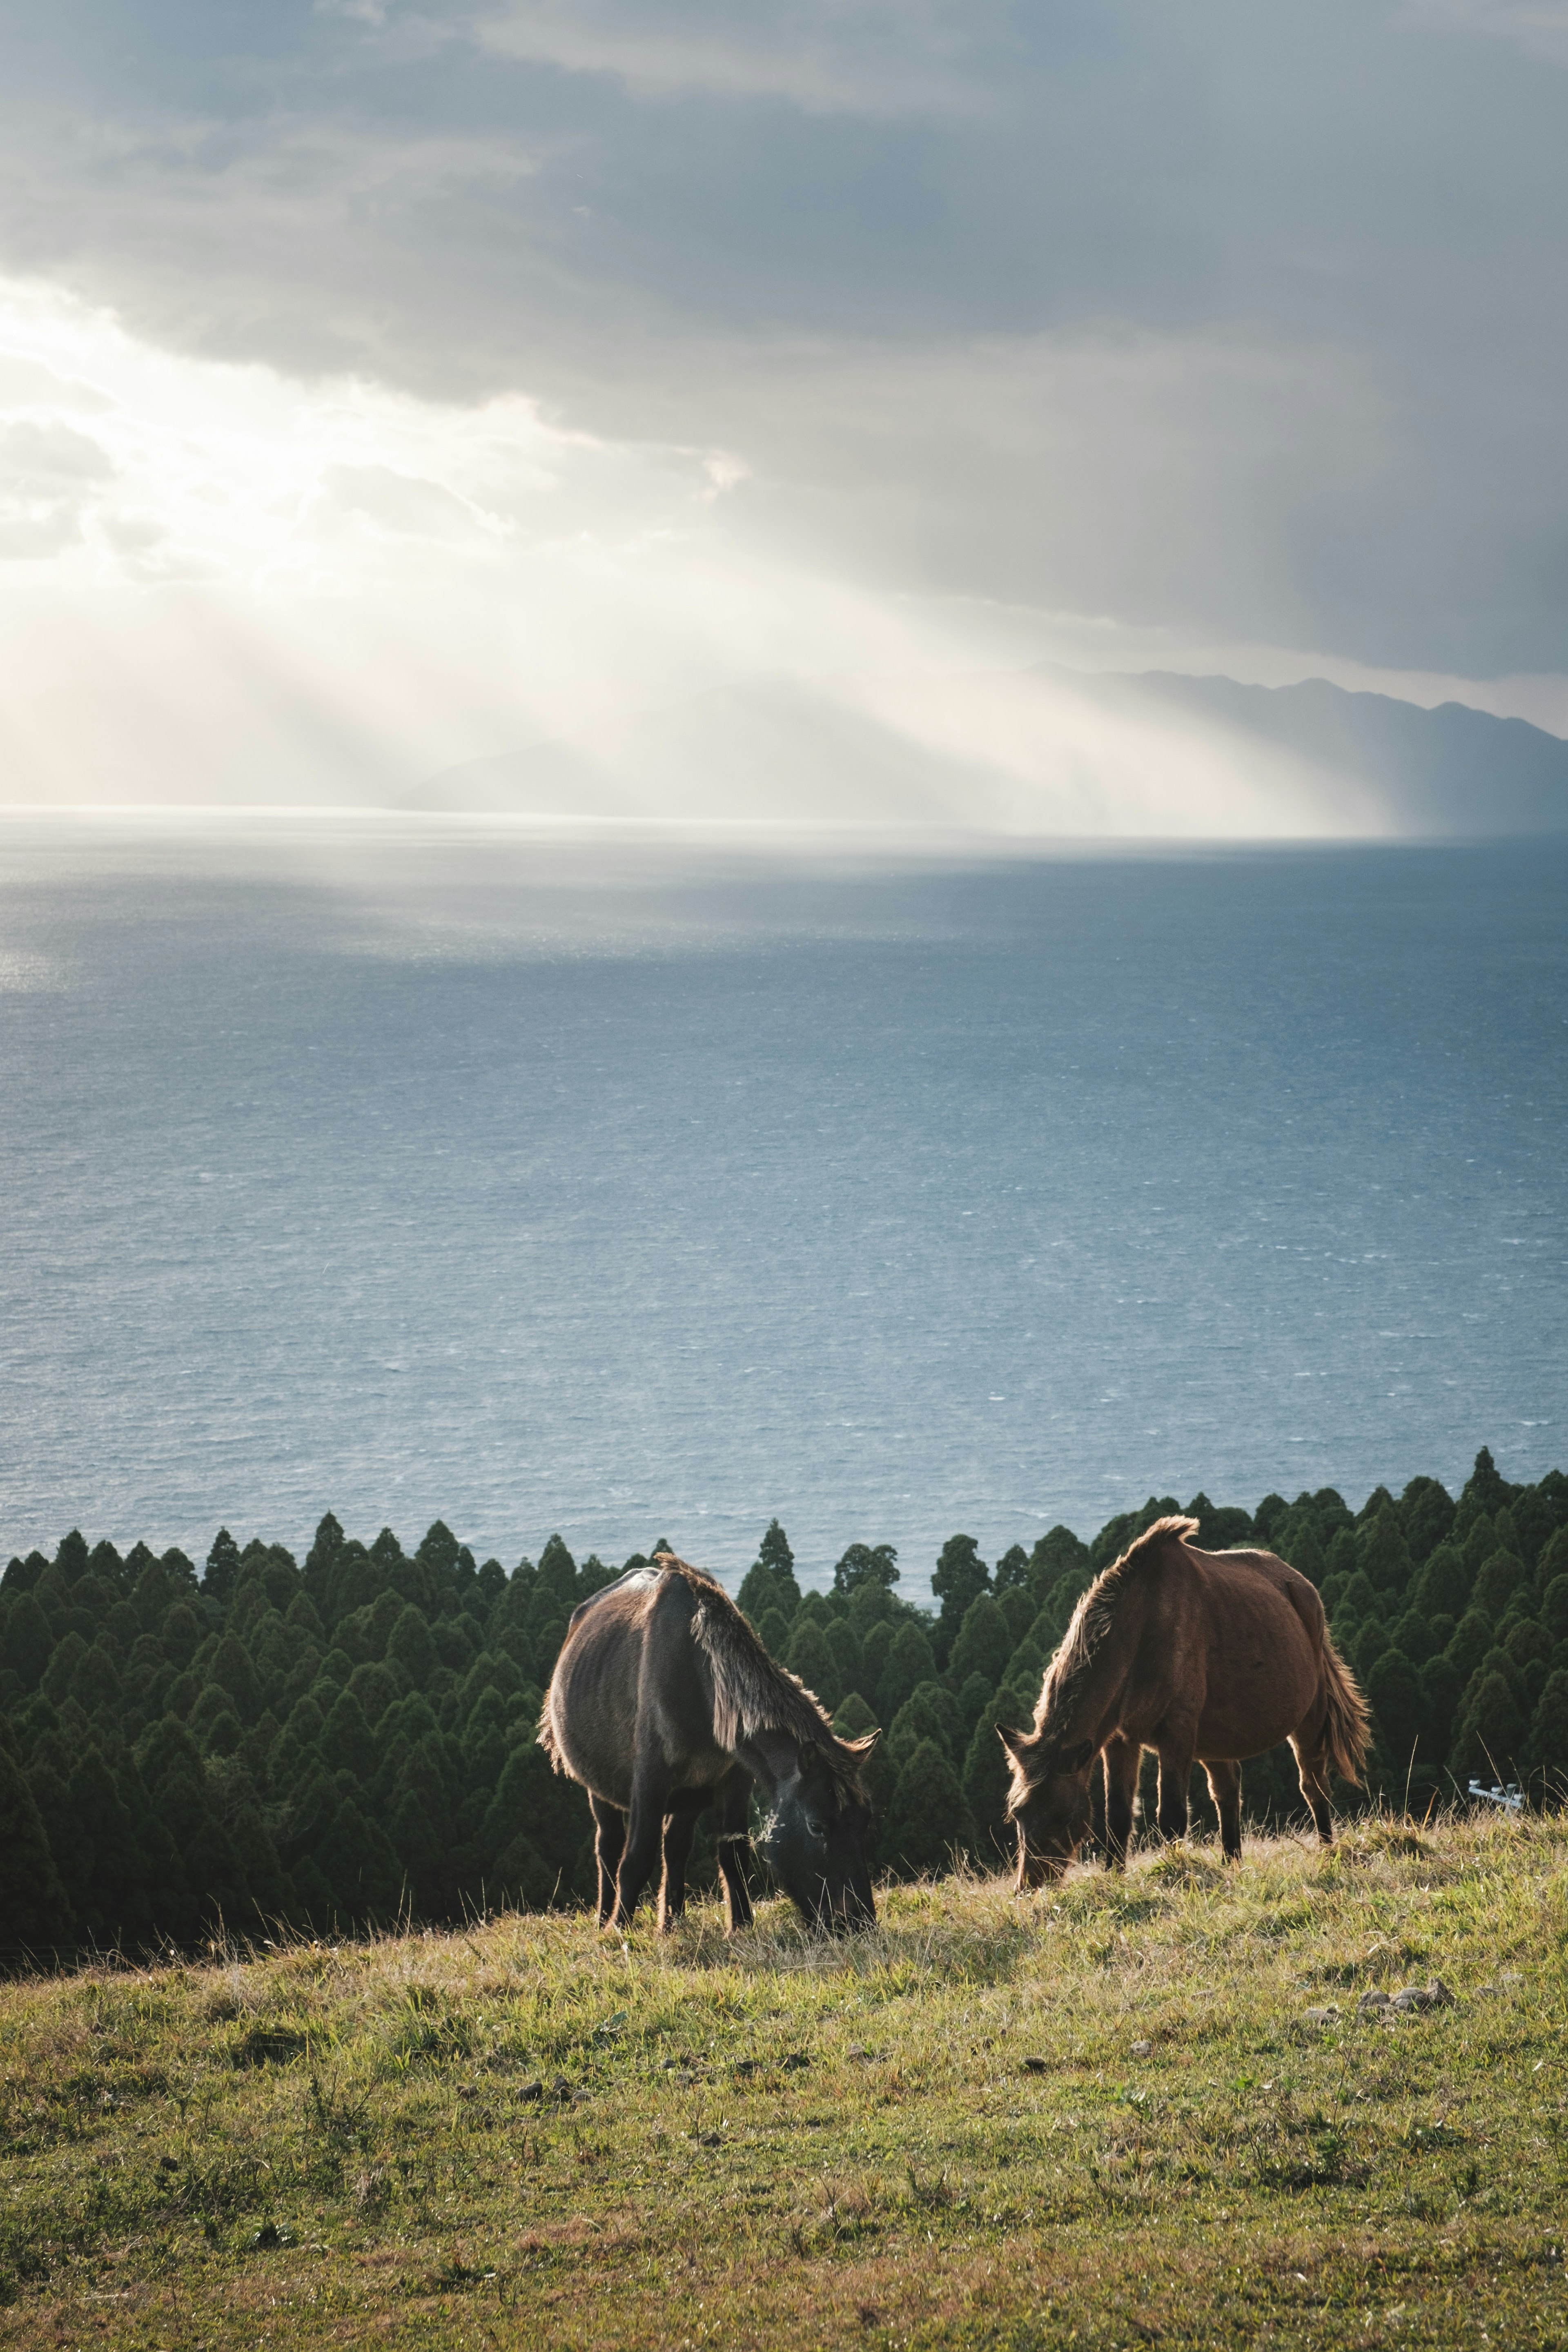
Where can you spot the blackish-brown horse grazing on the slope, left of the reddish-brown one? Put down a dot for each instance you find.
(662, 1704)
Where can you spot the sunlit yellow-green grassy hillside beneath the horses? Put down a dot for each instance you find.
(937, 2134)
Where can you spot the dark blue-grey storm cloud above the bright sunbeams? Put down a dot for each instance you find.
(1245, 319)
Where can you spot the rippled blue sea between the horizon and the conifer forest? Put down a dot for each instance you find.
(650, 1189)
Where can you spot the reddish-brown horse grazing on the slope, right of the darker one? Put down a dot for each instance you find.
(1207, 1657)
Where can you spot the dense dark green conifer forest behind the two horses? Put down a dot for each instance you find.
(351, 1739)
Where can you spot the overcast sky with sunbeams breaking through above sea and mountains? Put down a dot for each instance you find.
(382, 385)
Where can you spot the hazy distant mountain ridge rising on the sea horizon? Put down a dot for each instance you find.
(1043, 754)
